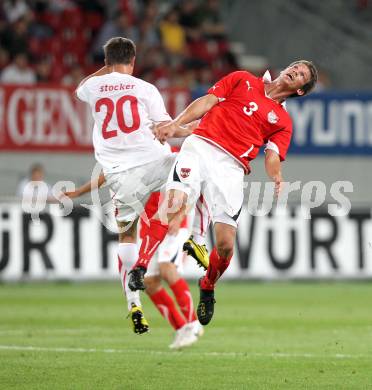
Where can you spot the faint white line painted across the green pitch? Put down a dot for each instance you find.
(152, 352)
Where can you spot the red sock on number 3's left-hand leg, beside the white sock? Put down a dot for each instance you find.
(155, 235)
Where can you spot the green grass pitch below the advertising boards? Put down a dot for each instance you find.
(263, 336)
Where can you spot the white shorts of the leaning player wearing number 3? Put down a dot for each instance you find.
(202, 168)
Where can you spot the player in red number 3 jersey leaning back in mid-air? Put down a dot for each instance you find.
(240, 114)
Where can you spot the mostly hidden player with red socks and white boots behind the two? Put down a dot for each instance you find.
(164, 266)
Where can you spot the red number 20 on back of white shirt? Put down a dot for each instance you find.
(119, 110)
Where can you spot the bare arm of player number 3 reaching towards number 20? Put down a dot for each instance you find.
(194, 111)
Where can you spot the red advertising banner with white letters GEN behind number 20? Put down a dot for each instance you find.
(50, 118)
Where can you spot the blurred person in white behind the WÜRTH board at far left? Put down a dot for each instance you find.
(31, 184)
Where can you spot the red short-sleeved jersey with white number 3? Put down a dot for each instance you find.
(245, 119)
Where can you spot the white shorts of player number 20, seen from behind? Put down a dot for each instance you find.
(132, 188)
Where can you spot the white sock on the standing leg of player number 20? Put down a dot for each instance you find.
(128, 255)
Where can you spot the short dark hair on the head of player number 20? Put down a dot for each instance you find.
(119, 50)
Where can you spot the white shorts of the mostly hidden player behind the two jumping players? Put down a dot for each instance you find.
(169, 251)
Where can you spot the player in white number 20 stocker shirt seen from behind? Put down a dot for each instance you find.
(134, 163)
